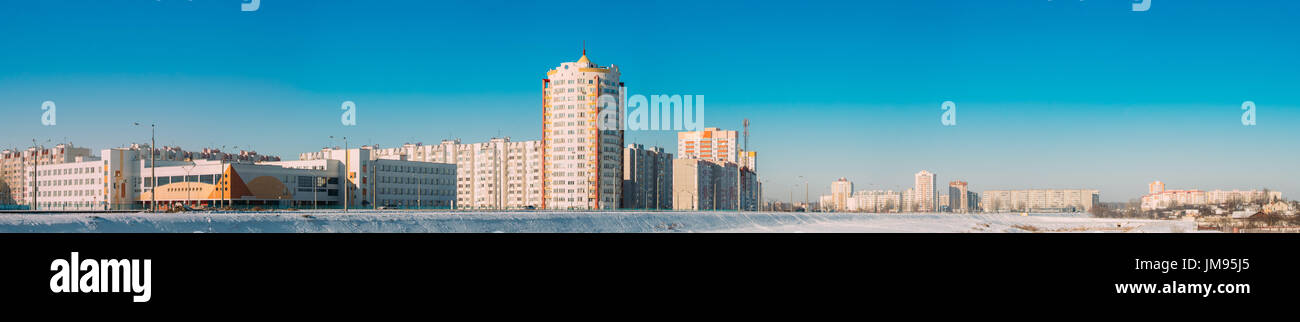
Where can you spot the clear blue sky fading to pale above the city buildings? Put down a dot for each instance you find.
(1051, 94)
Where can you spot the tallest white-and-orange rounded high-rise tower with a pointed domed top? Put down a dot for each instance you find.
(583, 163)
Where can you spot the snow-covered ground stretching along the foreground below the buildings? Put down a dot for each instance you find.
(400, 221)
